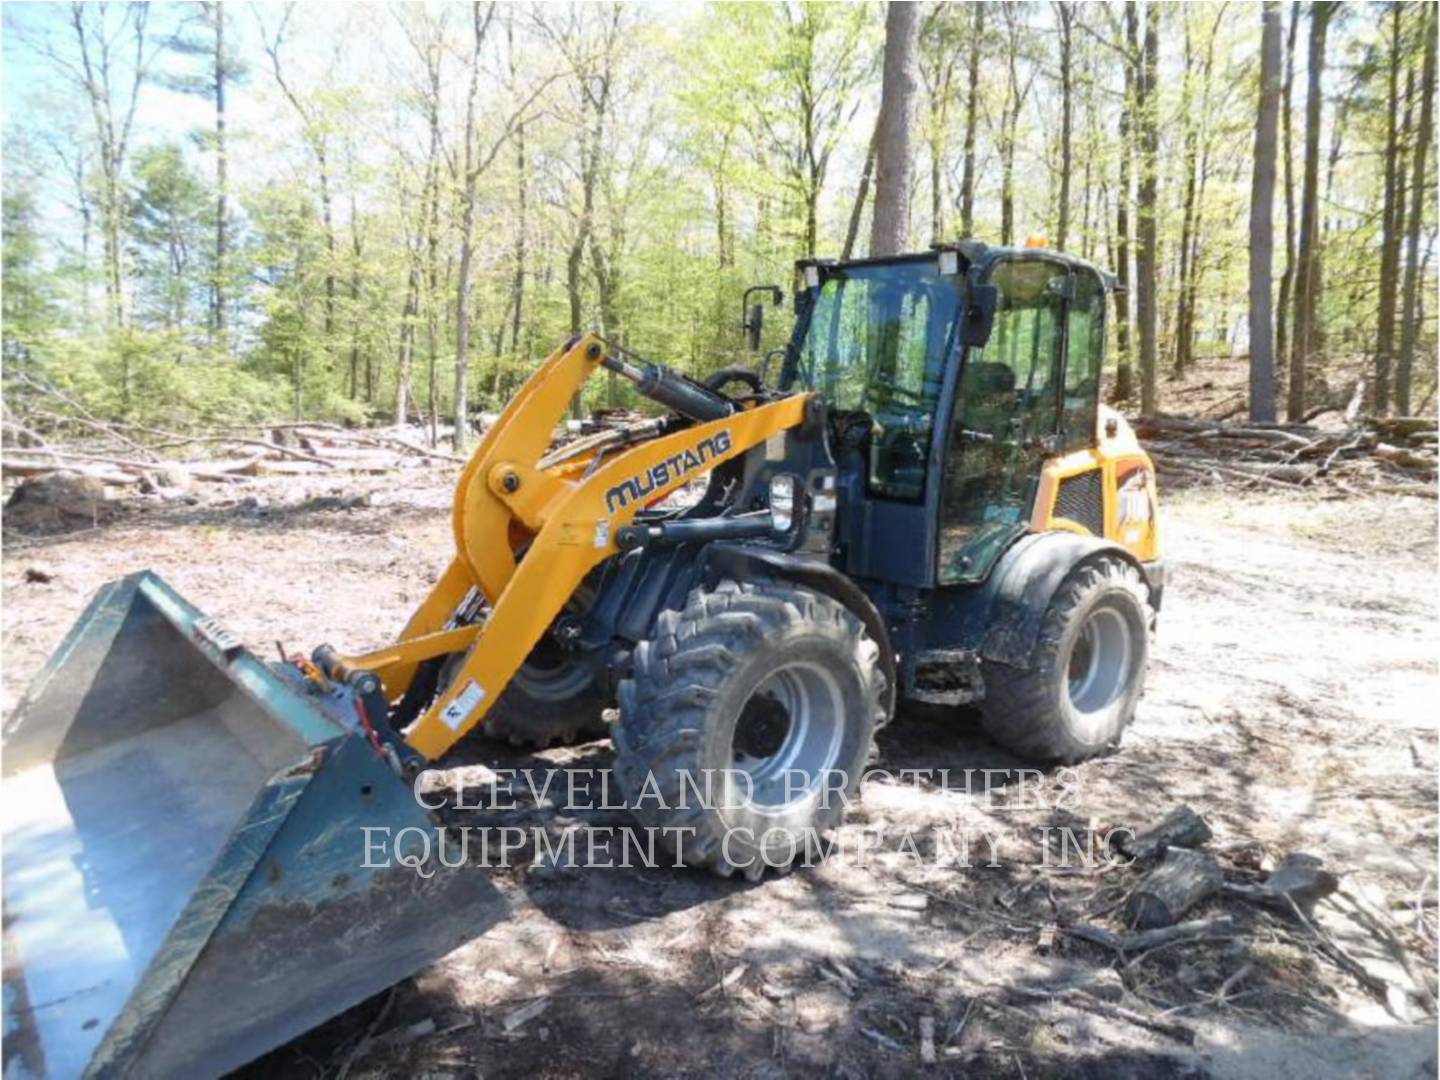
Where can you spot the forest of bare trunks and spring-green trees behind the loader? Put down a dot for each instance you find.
(230, 212)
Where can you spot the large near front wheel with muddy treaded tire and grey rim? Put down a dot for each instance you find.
(768, 692)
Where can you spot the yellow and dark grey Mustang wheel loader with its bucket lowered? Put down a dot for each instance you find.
(918, 499)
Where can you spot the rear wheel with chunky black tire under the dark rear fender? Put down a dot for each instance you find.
(1085, 678)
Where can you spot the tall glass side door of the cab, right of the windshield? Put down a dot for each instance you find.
(1006, 421)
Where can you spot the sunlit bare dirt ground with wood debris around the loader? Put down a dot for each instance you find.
(1291, 702)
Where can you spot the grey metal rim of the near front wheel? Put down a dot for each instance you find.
(788, 735)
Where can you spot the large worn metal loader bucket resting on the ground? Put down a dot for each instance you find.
(186, 879)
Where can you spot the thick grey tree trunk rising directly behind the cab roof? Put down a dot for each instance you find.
(891, 227)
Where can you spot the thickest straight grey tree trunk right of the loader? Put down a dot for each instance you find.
(1262, 218)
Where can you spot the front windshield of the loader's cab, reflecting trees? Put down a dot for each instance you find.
(876, 342)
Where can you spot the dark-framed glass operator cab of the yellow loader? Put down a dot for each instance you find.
(951, 378)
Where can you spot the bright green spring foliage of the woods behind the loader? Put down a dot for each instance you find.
(731, 143)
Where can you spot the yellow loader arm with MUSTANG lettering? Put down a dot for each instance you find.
(526, 536)
